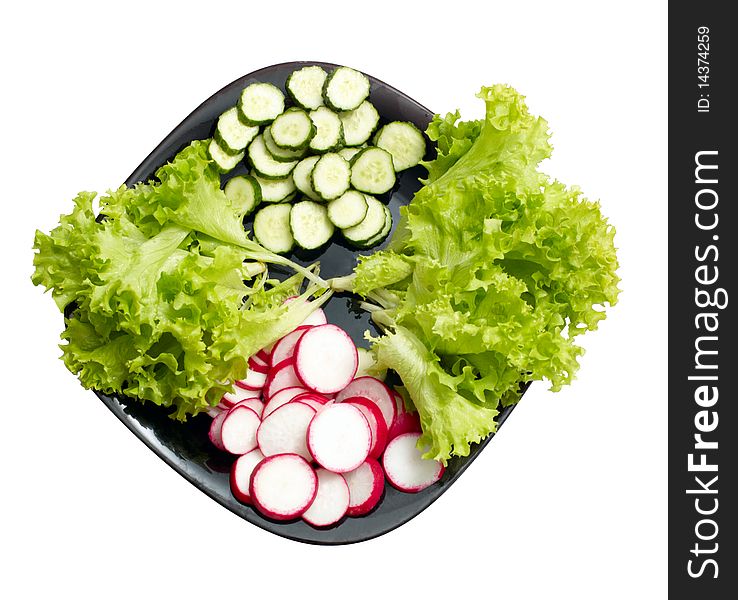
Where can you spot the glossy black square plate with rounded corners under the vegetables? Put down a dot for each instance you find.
(185, 447)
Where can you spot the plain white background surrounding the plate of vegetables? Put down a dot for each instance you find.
(569, 501)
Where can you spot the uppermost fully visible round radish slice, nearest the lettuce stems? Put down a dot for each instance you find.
(325, 359)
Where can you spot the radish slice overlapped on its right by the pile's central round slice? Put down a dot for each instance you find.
(285, 430)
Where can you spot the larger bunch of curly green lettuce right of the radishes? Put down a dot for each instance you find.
(493, 272)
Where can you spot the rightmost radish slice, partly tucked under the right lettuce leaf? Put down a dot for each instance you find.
(405, 468)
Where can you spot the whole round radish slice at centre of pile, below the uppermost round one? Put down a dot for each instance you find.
(339, 437)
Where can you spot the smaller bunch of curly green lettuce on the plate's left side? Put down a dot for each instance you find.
(156, 284)
